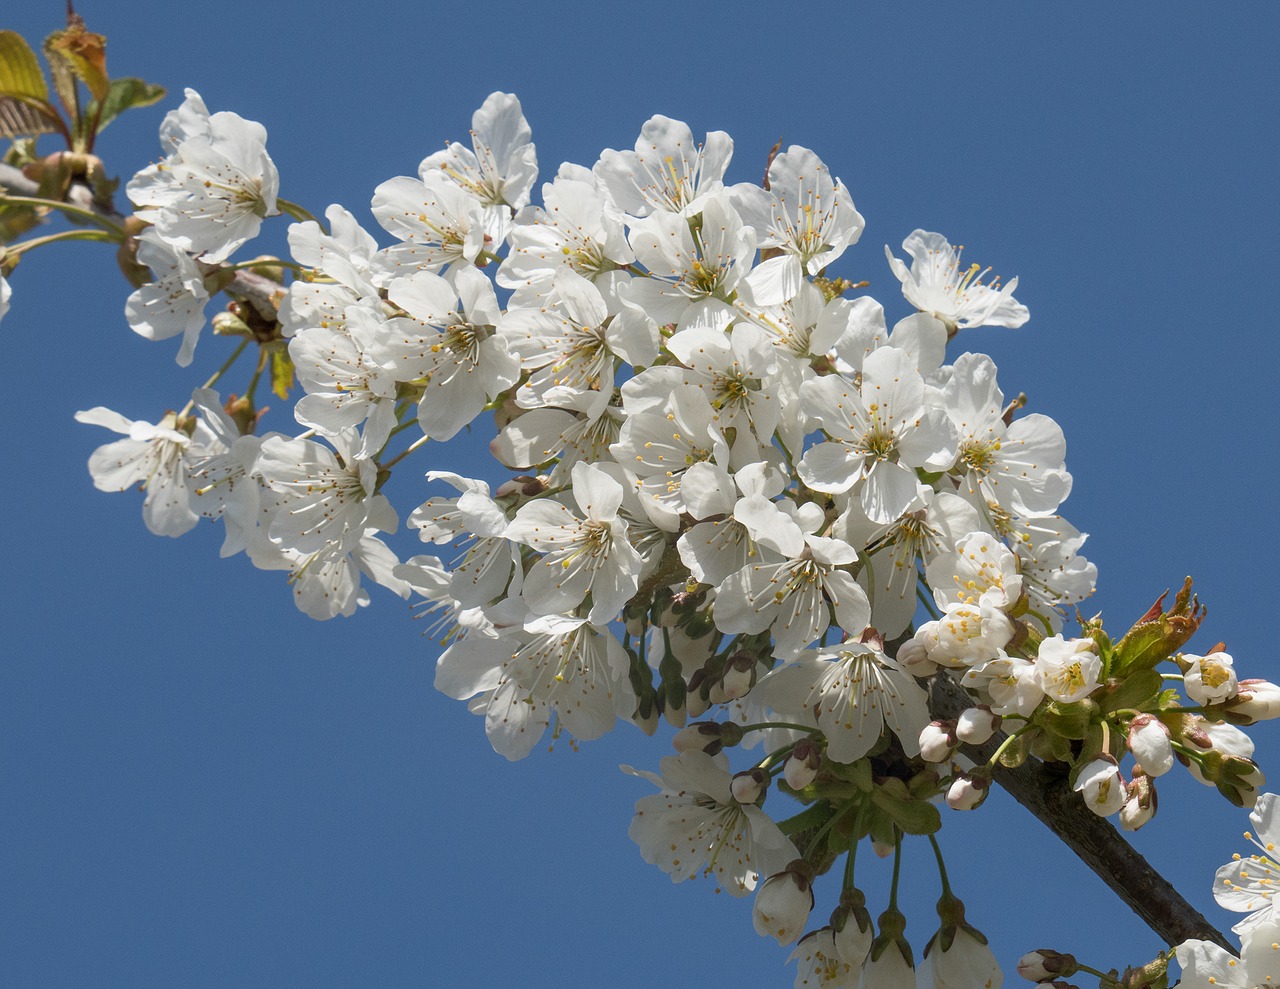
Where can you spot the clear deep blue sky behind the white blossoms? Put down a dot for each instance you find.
(202, 787)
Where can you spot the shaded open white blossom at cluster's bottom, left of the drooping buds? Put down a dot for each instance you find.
(694, 826)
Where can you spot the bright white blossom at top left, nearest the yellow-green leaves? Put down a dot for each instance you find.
(211, 195)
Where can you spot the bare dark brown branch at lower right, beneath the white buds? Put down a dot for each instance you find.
(1043, 789)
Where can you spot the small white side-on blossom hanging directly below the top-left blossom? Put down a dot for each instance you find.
(173, 303)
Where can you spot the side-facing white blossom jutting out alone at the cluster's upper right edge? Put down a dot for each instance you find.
(938, 285)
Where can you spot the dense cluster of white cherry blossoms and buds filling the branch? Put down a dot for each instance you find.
(726, 486)
